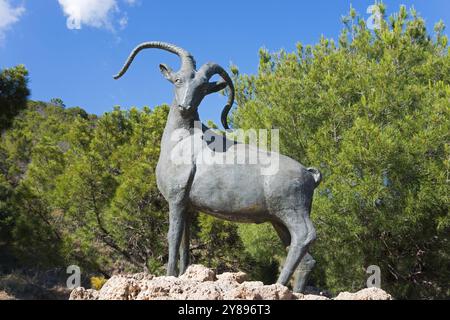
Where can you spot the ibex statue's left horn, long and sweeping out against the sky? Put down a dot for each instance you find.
(187, 60)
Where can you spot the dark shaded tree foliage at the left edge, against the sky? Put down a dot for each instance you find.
(13, 94)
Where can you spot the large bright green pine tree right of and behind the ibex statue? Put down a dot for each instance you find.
(372, 112)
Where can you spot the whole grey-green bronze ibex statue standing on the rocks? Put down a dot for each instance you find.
(236, 192)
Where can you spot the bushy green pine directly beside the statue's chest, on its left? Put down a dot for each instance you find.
(108, 189)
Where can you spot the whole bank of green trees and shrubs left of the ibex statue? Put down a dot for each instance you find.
(84, 188)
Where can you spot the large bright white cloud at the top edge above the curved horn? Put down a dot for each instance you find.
(95, 13)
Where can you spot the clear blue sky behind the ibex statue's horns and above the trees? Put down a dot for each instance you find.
(73, 47)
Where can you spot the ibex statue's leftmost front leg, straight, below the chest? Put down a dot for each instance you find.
(177, 220)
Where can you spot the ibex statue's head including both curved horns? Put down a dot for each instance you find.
(191, 86)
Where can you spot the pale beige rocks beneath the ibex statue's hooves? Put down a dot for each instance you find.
(201, 283)
